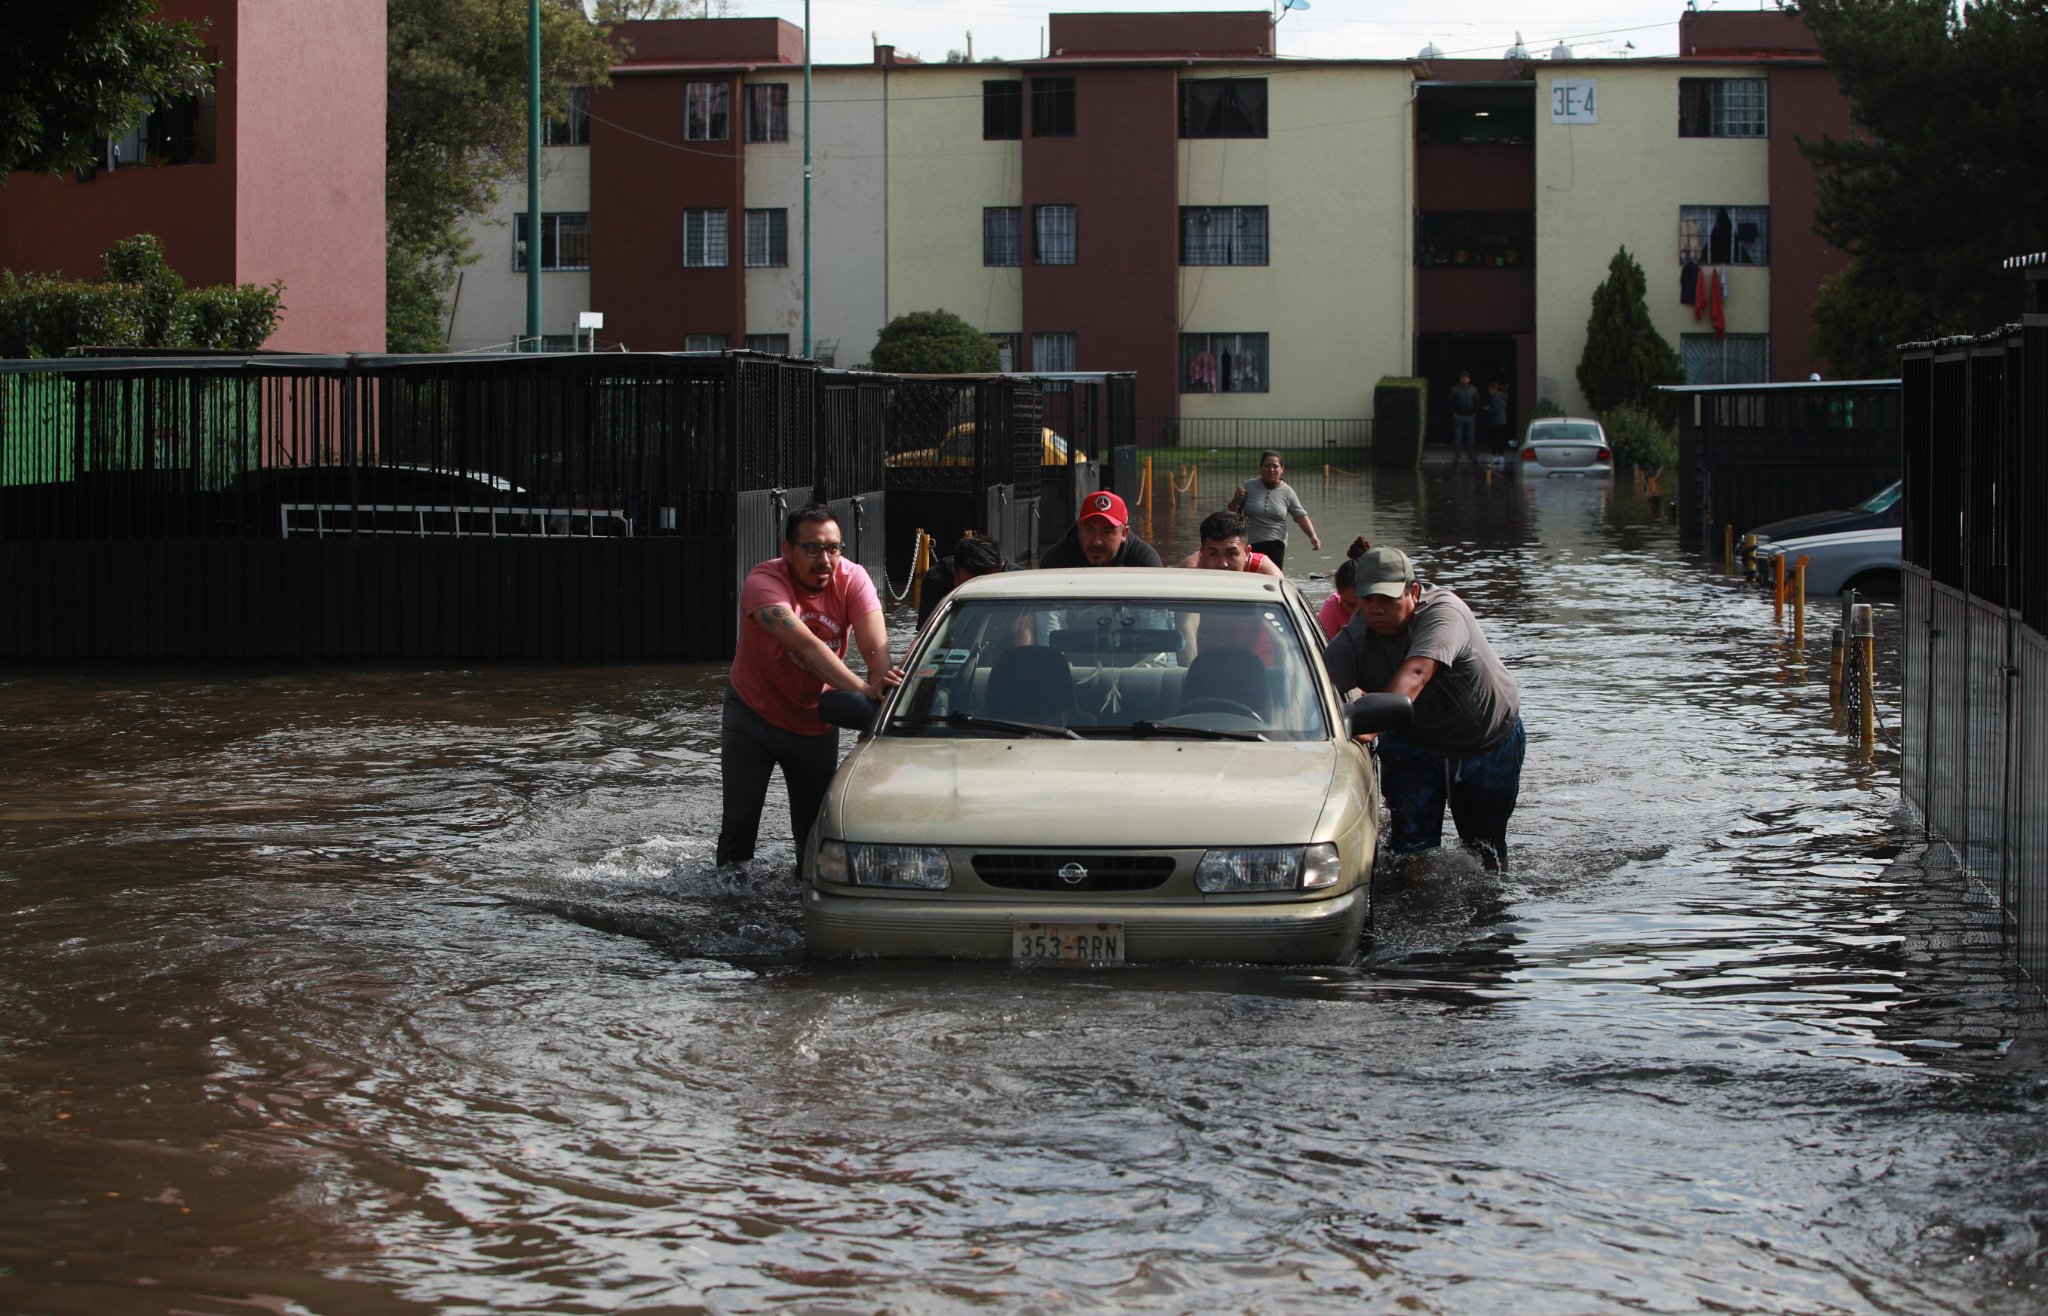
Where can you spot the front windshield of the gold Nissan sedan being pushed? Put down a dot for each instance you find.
(1113, 670)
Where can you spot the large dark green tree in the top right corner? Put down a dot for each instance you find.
(1943, 179)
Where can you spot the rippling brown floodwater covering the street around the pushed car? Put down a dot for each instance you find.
(417, 992)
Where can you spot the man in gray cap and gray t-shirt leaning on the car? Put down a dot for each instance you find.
(1465, 746)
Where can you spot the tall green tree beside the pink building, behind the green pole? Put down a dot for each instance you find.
(456, 130)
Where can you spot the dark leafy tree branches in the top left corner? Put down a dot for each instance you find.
(81, 73)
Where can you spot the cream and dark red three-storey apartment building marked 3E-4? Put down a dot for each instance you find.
(1256, 238)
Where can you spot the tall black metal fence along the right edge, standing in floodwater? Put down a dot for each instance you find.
(1975, 433)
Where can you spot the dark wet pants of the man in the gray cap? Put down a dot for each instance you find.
(1482, 795)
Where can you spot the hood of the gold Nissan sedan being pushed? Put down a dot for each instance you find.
(943, 791)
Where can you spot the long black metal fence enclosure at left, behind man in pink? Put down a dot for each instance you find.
(550, 509)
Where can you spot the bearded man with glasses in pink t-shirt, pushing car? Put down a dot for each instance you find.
(796, 617)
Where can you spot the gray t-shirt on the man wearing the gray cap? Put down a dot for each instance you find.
(1467, 707)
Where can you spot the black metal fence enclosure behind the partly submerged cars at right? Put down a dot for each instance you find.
(1760, 453)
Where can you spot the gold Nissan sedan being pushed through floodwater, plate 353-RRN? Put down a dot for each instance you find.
(1105, 766)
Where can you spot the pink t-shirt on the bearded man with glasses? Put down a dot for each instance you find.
(769, 676)
